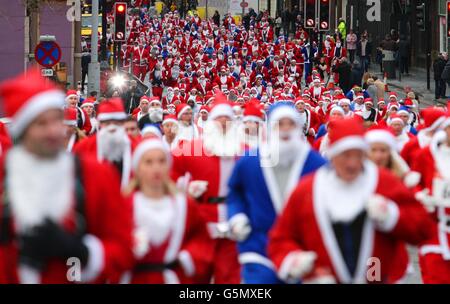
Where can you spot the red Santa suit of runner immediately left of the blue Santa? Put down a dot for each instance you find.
(213, 170)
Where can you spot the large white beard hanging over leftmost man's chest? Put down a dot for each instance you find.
(39, 188)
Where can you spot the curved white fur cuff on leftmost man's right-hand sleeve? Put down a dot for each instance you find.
(96, 259)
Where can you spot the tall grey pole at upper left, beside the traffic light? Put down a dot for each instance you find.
(94, 66)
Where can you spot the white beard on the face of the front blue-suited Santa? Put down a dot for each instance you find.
(287, 150)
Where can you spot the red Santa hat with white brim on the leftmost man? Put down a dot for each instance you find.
(26, 97)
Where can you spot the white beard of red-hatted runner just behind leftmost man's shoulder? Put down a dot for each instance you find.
(112, 141)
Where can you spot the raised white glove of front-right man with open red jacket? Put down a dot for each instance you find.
(382, 212)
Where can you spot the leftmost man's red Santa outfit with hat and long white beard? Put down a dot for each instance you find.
(65, 194)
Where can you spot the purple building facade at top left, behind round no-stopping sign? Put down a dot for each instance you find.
(20, 30)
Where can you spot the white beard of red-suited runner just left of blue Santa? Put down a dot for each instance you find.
(221, 144)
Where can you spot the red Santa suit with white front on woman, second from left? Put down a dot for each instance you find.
(172, 243)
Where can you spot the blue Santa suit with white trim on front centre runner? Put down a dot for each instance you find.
(254, 193)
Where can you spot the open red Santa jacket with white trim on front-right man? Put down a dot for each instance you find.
(305, 226)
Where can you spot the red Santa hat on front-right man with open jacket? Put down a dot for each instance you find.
(346, 134)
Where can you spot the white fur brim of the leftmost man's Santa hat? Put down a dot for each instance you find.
(33, 107)
